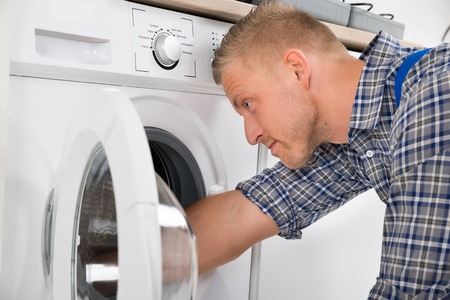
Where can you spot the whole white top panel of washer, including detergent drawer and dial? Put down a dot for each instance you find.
(114, 42)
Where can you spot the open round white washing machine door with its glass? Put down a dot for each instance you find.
(113, 228)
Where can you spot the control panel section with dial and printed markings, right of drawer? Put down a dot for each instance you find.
(173, 45)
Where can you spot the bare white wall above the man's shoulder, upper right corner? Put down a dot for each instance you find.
(425, 21)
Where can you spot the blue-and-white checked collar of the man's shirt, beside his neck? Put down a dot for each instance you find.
(378, 57)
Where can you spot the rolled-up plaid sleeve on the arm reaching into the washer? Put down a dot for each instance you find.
(295, 198)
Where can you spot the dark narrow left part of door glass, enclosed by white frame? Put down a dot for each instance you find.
(96, 246)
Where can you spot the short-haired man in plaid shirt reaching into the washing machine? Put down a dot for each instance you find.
(334, 123)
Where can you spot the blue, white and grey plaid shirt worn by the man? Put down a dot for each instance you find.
(403, 153)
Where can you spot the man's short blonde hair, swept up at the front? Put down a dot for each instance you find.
(268, 31)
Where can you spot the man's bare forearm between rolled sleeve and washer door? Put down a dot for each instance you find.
(226, 225)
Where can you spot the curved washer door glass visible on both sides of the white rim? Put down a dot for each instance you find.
(95, 250)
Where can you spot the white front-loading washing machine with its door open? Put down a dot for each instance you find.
(113, 116)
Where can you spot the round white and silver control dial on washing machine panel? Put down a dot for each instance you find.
(166, 50)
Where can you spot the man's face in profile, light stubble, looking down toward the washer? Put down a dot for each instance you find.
(278, 110)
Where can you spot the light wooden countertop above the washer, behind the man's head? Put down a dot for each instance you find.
(232, 10)
